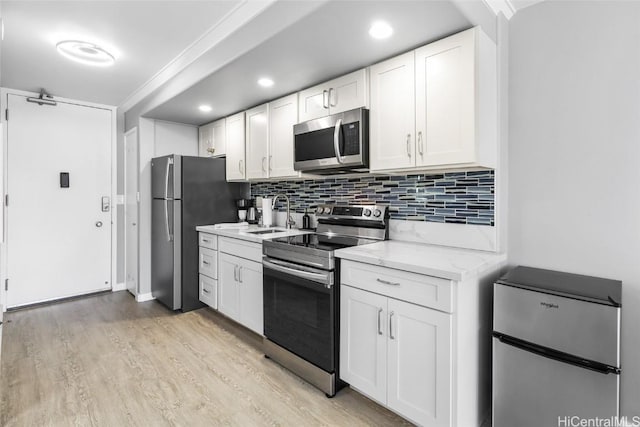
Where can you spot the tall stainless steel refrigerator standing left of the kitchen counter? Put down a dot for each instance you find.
(187, 192)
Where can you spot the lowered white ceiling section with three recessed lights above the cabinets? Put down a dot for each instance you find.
(326, 43)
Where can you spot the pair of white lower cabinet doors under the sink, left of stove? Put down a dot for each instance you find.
(240, 291)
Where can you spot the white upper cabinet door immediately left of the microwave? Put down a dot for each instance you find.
(283, 114)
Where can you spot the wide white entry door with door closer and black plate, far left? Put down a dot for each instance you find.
(58, 236)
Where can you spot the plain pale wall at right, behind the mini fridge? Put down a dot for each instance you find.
(574, 151)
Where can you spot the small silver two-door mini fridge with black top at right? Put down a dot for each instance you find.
(556, 348)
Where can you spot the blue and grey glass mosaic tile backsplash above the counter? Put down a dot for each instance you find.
(453, 197)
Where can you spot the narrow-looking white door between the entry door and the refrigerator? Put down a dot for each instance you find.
(131, 210)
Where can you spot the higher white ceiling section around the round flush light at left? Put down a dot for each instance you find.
(145, 36)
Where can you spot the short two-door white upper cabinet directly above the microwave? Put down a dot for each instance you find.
(341, 94)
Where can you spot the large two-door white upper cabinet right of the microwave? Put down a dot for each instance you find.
(454, 106)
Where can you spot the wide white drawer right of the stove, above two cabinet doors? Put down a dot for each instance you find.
(419, 289)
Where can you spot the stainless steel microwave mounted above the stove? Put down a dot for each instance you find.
(333, 144)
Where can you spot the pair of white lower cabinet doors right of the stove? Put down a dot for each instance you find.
(398, 354)
